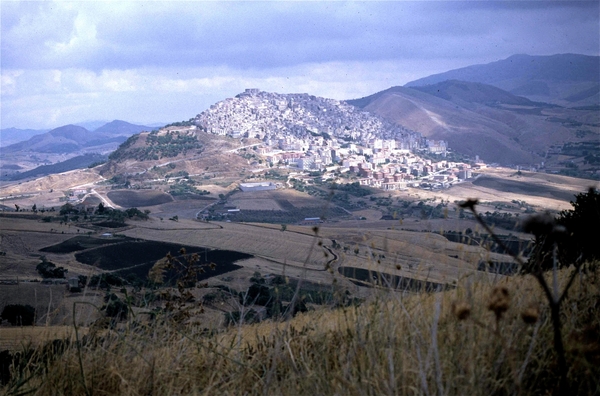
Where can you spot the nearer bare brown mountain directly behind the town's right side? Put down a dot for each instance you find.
(479, 119)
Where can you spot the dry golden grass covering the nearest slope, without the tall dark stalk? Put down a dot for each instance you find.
(477, 339)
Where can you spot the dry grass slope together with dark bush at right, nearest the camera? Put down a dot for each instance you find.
(533, 333)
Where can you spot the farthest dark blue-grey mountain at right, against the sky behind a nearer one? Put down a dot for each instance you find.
(565, 79)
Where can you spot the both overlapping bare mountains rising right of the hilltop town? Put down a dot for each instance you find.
(472, 109)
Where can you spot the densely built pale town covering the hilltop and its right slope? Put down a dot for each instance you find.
(324, 135)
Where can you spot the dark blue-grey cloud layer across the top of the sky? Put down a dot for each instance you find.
(264, 35)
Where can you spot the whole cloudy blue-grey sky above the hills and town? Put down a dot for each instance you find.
(158, 61)
